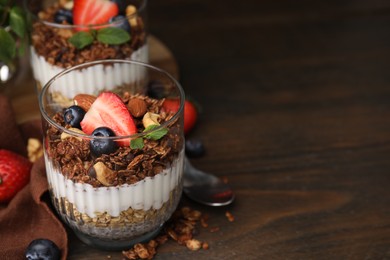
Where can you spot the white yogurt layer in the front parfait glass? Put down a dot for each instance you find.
(149, 193)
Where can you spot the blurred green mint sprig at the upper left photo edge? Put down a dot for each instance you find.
(13, 36)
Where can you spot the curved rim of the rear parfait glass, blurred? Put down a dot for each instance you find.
(83, 27)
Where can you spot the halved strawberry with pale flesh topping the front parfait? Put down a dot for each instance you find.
(109, 110)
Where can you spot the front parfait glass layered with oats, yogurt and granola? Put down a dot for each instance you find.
(116, 199)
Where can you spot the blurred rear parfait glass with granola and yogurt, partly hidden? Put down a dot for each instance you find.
(51, 45)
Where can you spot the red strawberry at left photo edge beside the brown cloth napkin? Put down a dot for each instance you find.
(14, 174)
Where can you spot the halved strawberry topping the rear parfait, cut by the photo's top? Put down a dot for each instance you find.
(92, 12)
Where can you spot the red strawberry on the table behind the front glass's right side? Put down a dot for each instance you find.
(190, 112)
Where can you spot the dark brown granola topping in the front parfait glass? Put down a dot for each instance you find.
(76, 162)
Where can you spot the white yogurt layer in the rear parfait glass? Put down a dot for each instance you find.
(91, 78)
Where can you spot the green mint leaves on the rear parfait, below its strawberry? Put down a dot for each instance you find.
(108, 35)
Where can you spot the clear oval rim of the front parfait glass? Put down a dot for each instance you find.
(111, 61)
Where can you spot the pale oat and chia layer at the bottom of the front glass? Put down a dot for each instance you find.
(129, 224)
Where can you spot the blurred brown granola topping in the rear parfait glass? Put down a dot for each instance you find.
(52, 43)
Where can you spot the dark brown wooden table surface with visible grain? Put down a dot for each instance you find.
(295, 100)
